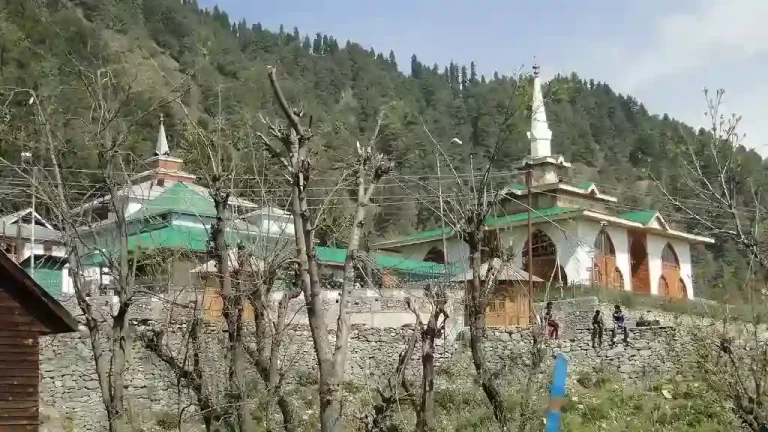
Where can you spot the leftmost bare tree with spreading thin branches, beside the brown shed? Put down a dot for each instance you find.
(105, 125)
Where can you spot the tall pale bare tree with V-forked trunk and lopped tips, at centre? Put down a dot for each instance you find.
(294, 154)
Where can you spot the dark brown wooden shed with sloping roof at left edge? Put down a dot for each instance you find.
(27, 312)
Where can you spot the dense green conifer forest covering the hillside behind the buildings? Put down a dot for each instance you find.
(219, 68)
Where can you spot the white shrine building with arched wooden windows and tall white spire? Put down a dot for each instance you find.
(579, 236)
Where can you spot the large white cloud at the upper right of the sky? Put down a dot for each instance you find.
(712, 43)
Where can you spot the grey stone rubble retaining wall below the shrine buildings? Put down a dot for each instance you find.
(69, 382)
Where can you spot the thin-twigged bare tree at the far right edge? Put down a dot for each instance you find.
(728, 204)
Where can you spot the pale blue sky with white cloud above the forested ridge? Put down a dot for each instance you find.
(662, 52)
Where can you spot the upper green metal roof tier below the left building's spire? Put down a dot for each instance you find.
(179, 198)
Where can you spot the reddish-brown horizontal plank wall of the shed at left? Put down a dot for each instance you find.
(19, 367)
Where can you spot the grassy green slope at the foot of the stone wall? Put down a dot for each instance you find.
(595, 403)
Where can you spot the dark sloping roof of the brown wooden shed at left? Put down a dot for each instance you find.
(33, 298)
